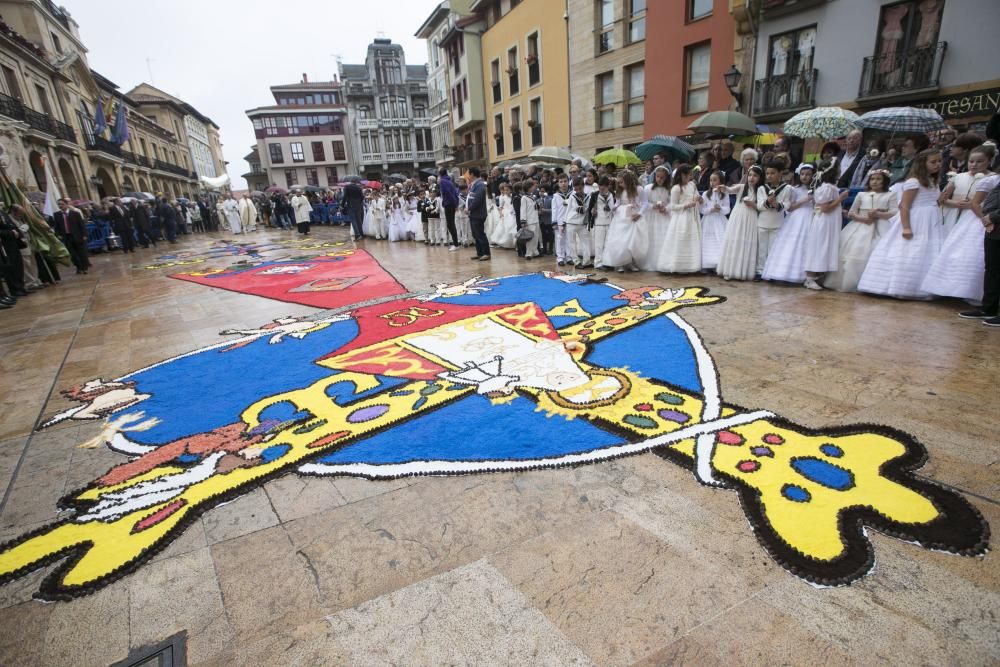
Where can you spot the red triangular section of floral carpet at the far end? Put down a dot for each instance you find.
(332, 280)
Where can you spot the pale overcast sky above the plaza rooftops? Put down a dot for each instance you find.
(221, 56)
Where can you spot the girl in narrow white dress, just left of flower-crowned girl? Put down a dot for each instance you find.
(823, 233)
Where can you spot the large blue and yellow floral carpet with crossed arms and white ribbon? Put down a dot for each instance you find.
(532, 371)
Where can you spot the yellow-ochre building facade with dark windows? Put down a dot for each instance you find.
(525, 75)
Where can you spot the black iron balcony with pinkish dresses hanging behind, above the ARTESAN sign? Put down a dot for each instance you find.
(904, 73)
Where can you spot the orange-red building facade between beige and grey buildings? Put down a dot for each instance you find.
(689, 46)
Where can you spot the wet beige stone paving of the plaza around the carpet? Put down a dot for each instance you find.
(618, 563)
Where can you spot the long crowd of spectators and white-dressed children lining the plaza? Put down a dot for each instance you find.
(913, 220)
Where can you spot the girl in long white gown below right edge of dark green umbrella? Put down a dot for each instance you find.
(681, 250)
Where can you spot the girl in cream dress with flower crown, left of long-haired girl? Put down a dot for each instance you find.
(870, 214)
